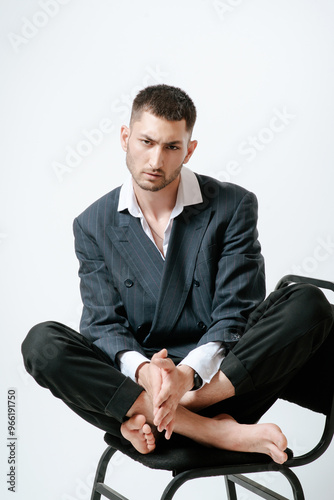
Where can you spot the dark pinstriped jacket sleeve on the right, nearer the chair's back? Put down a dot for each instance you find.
(240, 278)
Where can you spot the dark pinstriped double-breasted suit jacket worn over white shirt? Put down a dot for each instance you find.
(211, 280)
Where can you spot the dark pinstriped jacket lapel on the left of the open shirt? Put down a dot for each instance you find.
(139, 252)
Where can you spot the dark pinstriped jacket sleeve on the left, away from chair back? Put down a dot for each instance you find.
(104, 321)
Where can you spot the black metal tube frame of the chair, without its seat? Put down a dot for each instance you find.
(234, 474)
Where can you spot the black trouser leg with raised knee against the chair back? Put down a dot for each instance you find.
(281, 338)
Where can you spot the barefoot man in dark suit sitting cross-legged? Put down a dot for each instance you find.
(175, 334)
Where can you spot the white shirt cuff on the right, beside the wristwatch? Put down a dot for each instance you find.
(205, 360)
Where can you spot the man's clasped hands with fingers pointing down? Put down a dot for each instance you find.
(165, 383)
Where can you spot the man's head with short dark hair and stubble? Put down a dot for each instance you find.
(158, 140)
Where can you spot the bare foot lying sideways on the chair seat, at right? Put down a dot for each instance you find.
(228, 434)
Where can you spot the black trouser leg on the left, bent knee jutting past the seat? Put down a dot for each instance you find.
(79, 374)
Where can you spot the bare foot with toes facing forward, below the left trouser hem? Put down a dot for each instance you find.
(139, 433)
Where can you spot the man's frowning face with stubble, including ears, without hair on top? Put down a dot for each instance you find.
(156, 149)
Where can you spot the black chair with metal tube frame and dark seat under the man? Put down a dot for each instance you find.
(188, 460)
